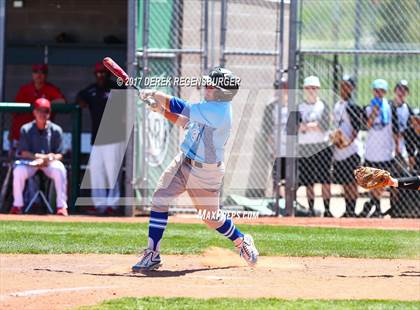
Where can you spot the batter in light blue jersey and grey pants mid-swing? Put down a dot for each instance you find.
(198, 168)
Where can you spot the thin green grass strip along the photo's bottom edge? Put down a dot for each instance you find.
(262, 303)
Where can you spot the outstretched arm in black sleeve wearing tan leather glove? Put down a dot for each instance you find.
(372, 178)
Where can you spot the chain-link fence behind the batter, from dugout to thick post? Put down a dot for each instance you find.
(244, 36)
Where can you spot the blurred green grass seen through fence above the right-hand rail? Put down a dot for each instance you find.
(332, 23)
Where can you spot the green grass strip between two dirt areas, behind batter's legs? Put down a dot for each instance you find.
(128, 238)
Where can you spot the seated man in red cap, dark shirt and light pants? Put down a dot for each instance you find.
(40, 142)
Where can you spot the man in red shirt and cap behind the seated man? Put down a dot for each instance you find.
(38, 88)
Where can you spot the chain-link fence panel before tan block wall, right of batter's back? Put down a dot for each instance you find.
(251, 48)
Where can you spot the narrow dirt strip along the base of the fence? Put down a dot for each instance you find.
(400, 224)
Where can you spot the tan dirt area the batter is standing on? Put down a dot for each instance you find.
(62, 281)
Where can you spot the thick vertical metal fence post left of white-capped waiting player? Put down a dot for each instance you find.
(291, 158)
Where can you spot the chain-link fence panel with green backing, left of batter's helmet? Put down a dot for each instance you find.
(169, 44)
